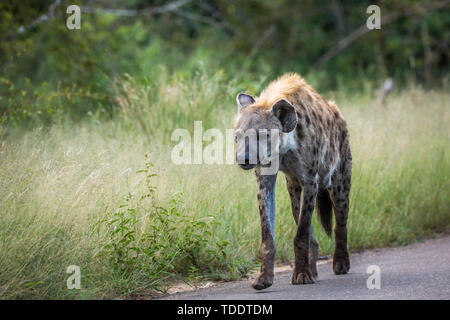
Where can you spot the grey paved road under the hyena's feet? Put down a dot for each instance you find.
(418, 271)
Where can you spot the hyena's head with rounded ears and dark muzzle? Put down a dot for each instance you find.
(258, 130)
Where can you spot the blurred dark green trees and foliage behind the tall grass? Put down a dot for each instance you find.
(49, 72)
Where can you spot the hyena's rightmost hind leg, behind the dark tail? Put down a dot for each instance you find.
(340, 198)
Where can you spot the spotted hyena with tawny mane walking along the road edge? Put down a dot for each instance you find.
(311, 144)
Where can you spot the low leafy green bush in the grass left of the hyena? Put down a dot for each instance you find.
(163, 243)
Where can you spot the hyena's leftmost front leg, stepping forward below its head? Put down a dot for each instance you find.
(267, 211)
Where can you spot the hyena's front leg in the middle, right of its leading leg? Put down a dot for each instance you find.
(303, 273)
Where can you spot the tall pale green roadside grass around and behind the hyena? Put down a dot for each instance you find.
(84, 194)
